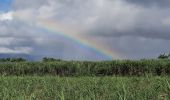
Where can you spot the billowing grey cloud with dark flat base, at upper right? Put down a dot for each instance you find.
(130, 20)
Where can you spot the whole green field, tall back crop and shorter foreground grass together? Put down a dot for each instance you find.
(73, 80)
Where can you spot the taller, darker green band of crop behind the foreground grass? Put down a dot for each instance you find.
(78, 68)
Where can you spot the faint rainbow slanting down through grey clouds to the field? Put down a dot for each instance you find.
(89, 43)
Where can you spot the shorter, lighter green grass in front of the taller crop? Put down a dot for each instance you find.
(84, 88)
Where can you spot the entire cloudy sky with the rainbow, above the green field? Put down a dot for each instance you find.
(85, 29)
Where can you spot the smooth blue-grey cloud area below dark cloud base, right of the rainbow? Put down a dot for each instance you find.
(138, 47)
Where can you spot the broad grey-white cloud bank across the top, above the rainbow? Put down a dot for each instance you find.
(115, 18)
